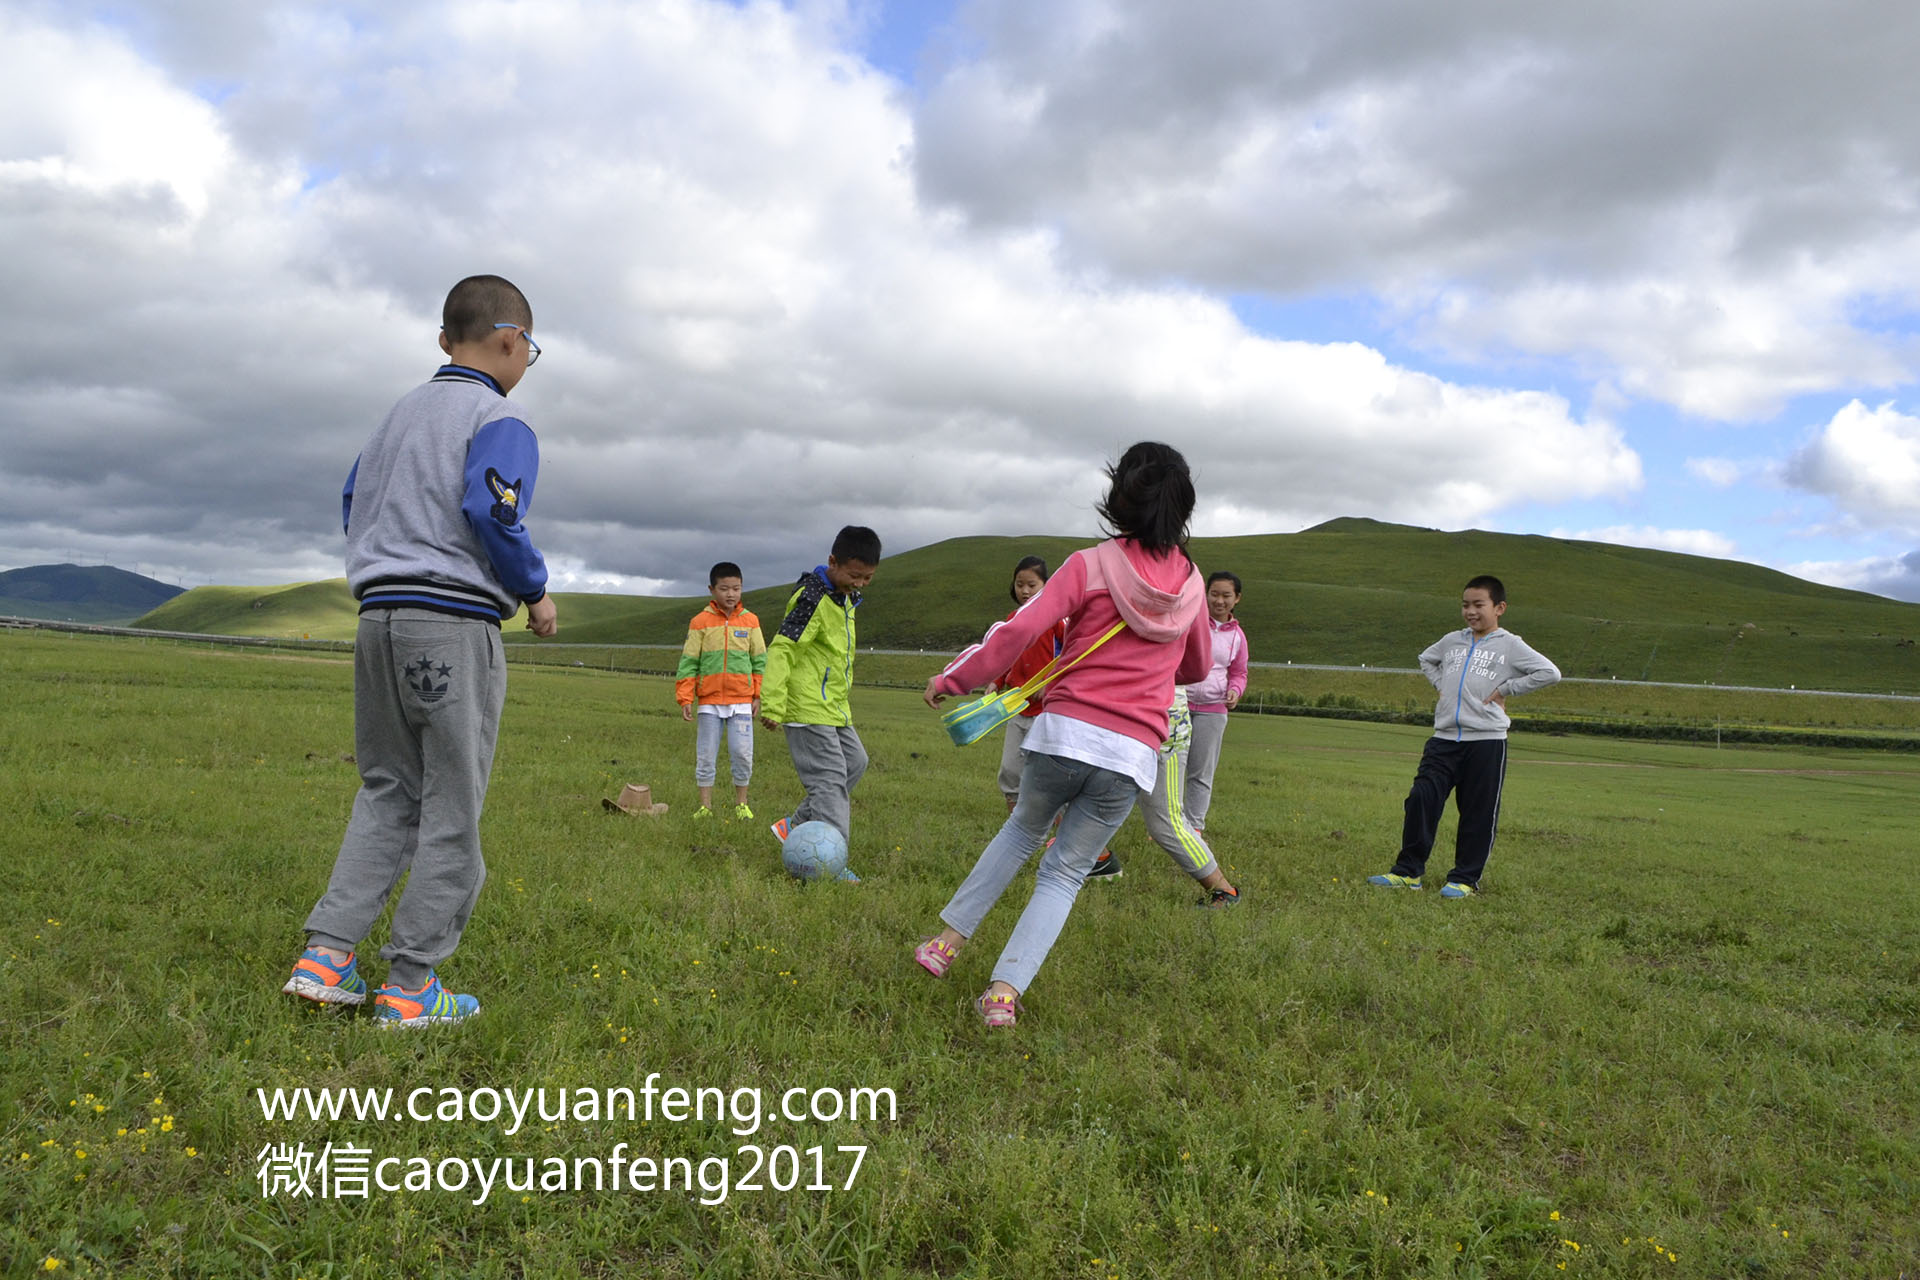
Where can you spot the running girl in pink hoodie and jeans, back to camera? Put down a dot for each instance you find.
(1136, 627)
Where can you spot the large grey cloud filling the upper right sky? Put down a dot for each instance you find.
(1698, 220)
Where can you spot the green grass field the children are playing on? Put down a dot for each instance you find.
(1673, 1039)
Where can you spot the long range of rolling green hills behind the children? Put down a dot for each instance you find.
(1349, 592)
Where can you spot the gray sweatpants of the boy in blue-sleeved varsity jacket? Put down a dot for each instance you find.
(427, 699)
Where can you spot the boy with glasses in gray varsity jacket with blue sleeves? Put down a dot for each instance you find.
(439, 557)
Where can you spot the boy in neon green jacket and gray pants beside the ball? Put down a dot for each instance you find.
(807, 684)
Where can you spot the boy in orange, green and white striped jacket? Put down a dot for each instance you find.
(719, 688)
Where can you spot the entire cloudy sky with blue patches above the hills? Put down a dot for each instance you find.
(1631, 272)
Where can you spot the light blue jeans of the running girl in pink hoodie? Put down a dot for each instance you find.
(1097, 803)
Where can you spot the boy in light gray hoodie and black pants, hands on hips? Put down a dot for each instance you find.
(1476, 673)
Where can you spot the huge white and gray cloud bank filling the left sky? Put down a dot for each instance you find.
(756, 329)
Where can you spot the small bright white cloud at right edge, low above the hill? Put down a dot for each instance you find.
(1867, 462)
